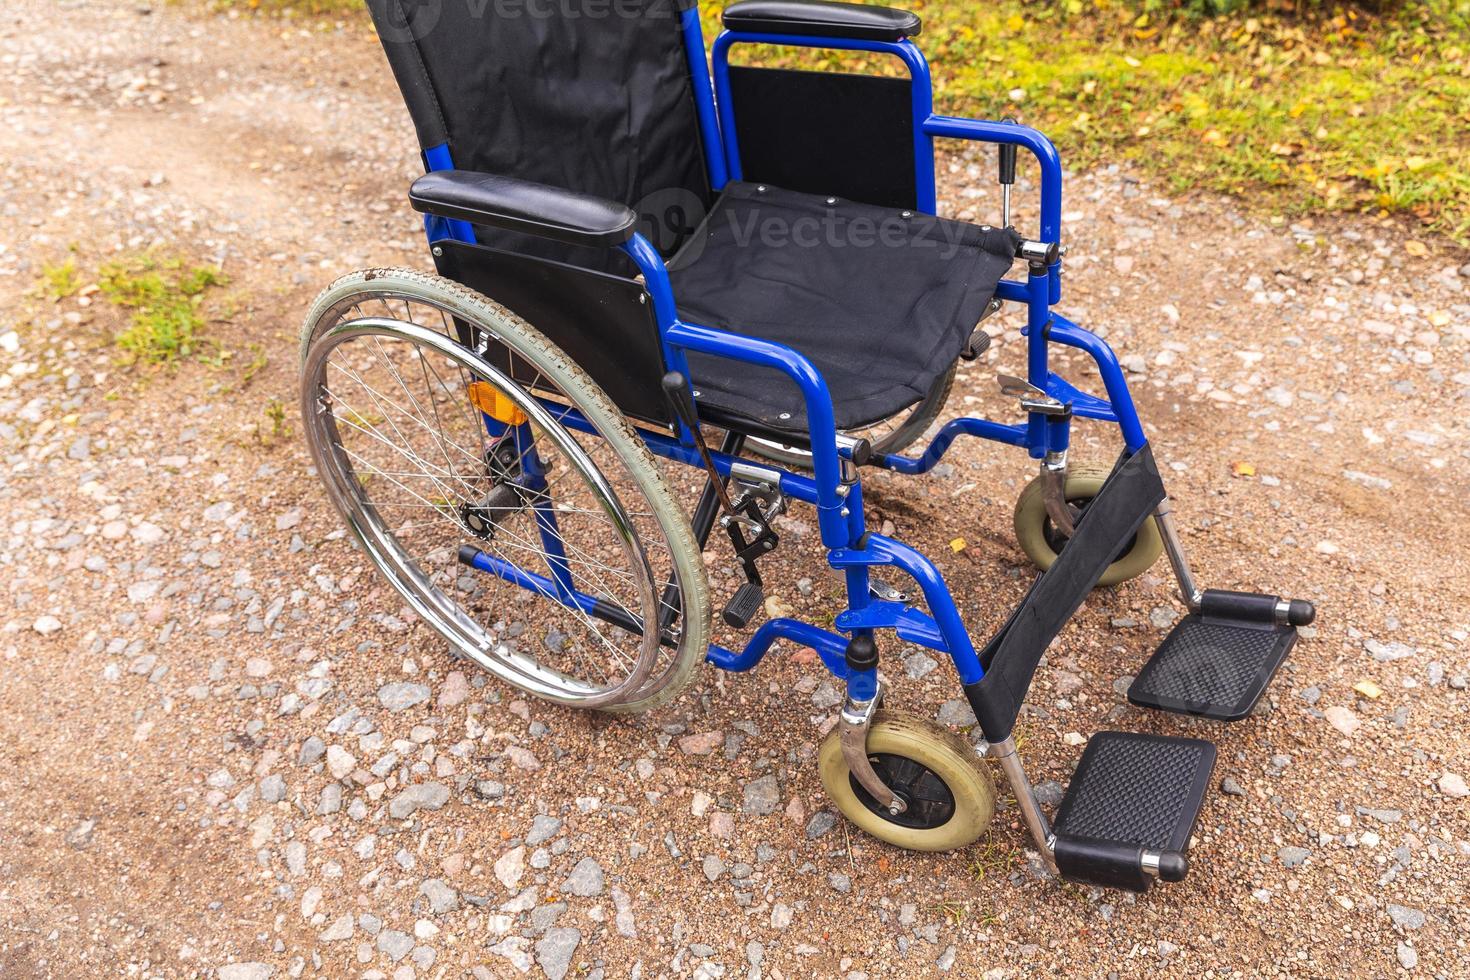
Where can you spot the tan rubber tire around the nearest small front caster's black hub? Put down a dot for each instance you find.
(940, 750)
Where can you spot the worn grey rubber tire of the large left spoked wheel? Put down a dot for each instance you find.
(642, 465)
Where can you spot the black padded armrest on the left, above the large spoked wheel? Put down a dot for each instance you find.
(526, 206)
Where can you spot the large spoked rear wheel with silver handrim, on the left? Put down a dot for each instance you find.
(533, 531)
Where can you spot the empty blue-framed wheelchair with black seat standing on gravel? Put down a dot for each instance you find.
(642, 246)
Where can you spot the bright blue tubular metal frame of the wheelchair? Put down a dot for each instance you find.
(852, 549)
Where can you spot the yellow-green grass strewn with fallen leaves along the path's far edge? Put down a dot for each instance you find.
(1340, 111)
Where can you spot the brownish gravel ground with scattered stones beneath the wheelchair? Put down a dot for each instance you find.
(226, 749)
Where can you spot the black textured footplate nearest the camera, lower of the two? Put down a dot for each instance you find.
(1130, 810)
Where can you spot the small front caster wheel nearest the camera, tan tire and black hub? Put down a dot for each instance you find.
(943, 782)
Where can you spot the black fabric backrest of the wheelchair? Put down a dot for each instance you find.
(589, 95)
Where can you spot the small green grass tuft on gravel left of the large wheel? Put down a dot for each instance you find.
(165, 298)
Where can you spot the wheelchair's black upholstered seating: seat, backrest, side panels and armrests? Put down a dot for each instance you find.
(880, 299)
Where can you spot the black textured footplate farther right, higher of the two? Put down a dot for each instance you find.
(1218, 662)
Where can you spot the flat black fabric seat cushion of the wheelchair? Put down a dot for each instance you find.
(881, 300)
